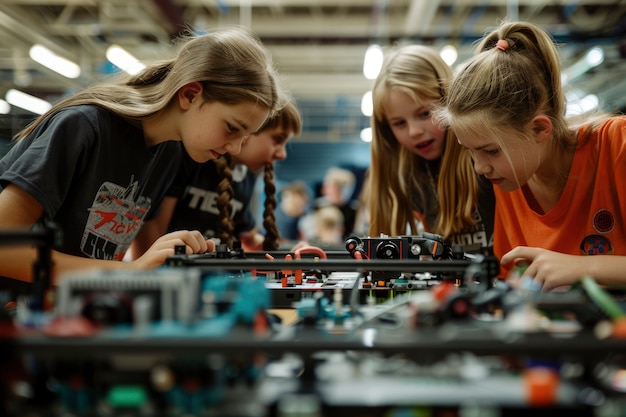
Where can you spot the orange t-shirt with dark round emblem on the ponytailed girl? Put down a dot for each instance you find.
(589, 217)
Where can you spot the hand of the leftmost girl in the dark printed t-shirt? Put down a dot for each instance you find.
(165, 246)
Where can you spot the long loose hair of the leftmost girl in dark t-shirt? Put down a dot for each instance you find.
(231, 63)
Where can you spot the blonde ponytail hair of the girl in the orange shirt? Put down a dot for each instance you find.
(502, 90)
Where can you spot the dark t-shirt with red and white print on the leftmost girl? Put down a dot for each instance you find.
(94, 176)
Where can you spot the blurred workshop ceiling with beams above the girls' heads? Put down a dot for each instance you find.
(318, 45)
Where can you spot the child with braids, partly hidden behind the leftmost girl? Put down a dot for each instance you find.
(215, 196)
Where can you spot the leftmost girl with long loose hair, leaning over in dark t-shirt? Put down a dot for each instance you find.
(99, 162)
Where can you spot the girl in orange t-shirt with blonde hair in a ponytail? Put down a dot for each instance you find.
(559, 191)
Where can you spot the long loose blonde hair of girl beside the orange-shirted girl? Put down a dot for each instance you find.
(397, 176)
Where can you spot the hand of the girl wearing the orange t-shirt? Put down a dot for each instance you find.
(548, 268)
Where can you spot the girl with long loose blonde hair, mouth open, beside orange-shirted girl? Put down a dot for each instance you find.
(419, 175)
